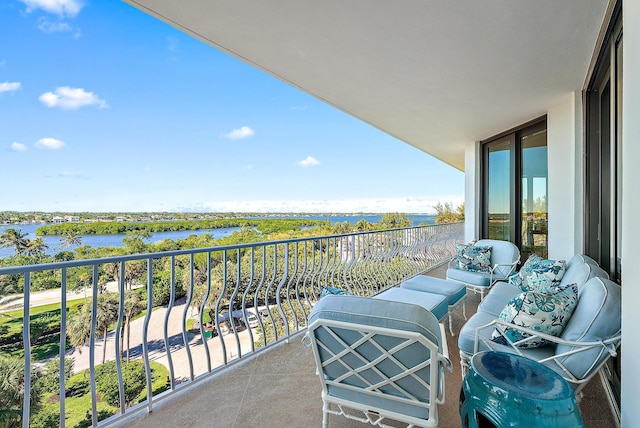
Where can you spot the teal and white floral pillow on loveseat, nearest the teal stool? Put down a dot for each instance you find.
(544, 312)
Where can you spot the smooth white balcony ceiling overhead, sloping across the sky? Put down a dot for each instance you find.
(434, 74)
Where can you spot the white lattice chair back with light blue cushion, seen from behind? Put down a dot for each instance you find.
(378, 355)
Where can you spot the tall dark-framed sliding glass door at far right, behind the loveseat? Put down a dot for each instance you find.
(603, 178)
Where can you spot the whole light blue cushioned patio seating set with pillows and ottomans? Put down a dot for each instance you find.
(384, 357)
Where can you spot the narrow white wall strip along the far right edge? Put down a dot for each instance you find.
(630, 214)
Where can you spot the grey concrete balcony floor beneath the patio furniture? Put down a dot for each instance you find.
(279, 388)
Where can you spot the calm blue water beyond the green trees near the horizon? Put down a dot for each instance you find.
(116, 240)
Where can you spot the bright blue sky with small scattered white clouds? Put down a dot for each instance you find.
(104, 108)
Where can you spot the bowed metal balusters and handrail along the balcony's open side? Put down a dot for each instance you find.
(361, 263)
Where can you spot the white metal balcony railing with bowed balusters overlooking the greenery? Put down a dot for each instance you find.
(208, 308)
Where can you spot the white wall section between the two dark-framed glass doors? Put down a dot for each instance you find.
(564, 141)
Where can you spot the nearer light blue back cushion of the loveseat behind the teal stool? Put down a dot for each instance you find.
(597, 317)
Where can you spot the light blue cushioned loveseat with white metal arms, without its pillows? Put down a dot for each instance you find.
(590, 337)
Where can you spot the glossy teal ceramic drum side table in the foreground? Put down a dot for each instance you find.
(506, 390)
